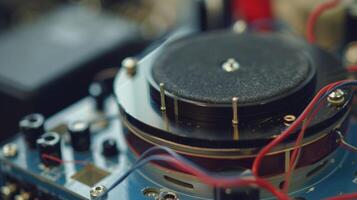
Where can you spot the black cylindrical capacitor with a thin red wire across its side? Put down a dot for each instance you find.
(49, 147)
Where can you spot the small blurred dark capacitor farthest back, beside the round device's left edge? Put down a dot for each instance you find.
(99, 91)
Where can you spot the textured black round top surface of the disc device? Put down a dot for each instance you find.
(270, 66)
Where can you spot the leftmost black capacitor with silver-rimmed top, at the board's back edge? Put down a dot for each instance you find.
(32, 127)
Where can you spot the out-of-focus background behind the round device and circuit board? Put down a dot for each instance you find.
(52, 50)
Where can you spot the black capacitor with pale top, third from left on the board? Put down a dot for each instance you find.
(80, 135)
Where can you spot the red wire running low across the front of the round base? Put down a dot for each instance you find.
(221, 182)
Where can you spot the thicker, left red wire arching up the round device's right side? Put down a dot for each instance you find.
(290, 129)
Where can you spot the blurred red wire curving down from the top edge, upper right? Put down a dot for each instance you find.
(315, 14)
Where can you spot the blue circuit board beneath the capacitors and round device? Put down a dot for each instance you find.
(59, 183)
